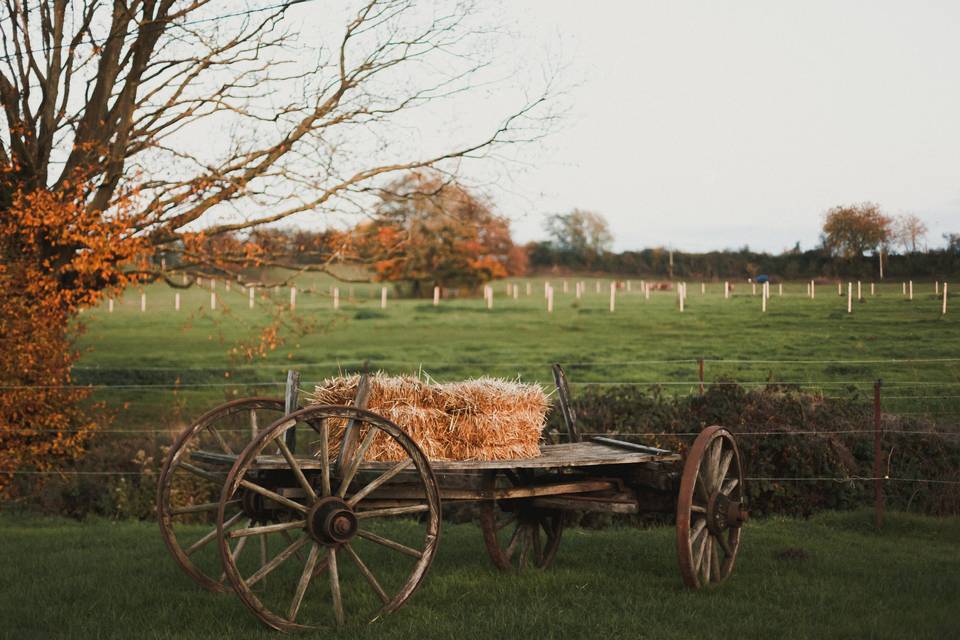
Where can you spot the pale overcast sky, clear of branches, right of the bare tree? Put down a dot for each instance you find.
(706, 125)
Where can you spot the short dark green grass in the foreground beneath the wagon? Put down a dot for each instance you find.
(830, 576)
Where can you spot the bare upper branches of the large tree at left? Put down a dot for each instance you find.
(209, 116)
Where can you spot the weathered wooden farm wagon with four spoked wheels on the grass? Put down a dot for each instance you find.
(324, 519)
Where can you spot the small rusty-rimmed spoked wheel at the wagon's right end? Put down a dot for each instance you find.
(710, 509)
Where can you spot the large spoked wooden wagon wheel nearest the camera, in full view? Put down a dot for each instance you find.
(337, 547)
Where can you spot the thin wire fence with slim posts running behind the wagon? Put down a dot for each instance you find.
(916, 399)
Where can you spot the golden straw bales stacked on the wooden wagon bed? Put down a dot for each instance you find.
(480, 419)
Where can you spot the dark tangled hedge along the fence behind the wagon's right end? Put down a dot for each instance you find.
(785, 433)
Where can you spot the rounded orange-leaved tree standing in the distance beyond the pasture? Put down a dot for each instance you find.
(428, 231)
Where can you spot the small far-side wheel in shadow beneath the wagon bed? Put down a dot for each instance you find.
(516, 534)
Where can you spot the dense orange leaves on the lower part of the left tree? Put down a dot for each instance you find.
(57, 257)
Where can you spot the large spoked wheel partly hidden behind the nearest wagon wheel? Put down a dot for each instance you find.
(189, 490)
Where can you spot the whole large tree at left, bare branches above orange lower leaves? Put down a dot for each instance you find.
(131, 129)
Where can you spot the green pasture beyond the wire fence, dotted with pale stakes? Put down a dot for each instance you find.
(517, 337)
